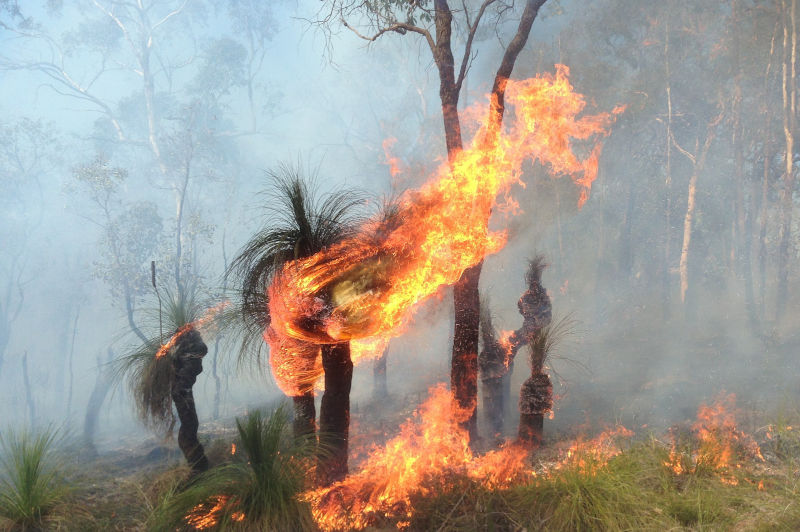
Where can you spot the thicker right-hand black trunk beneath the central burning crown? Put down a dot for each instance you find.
(334, 417)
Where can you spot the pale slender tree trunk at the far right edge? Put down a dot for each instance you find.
(788, 177)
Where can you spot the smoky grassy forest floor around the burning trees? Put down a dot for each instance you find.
(733, 466)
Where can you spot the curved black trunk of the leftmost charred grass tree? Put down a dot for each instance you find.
(188, 362)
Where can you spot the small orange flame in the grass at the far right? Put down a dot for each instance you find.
(719, 441)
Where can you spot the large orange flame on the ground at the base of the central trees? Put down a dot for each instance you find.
(430, 448)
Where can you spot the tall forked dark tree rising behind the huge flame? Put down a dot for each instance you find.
(384, 19)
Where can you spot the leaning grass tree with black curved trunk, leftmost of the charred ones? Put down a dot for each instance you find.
(162, 375)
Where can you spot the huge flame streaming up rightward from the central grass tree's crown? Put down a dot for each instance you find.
(369, 286)
